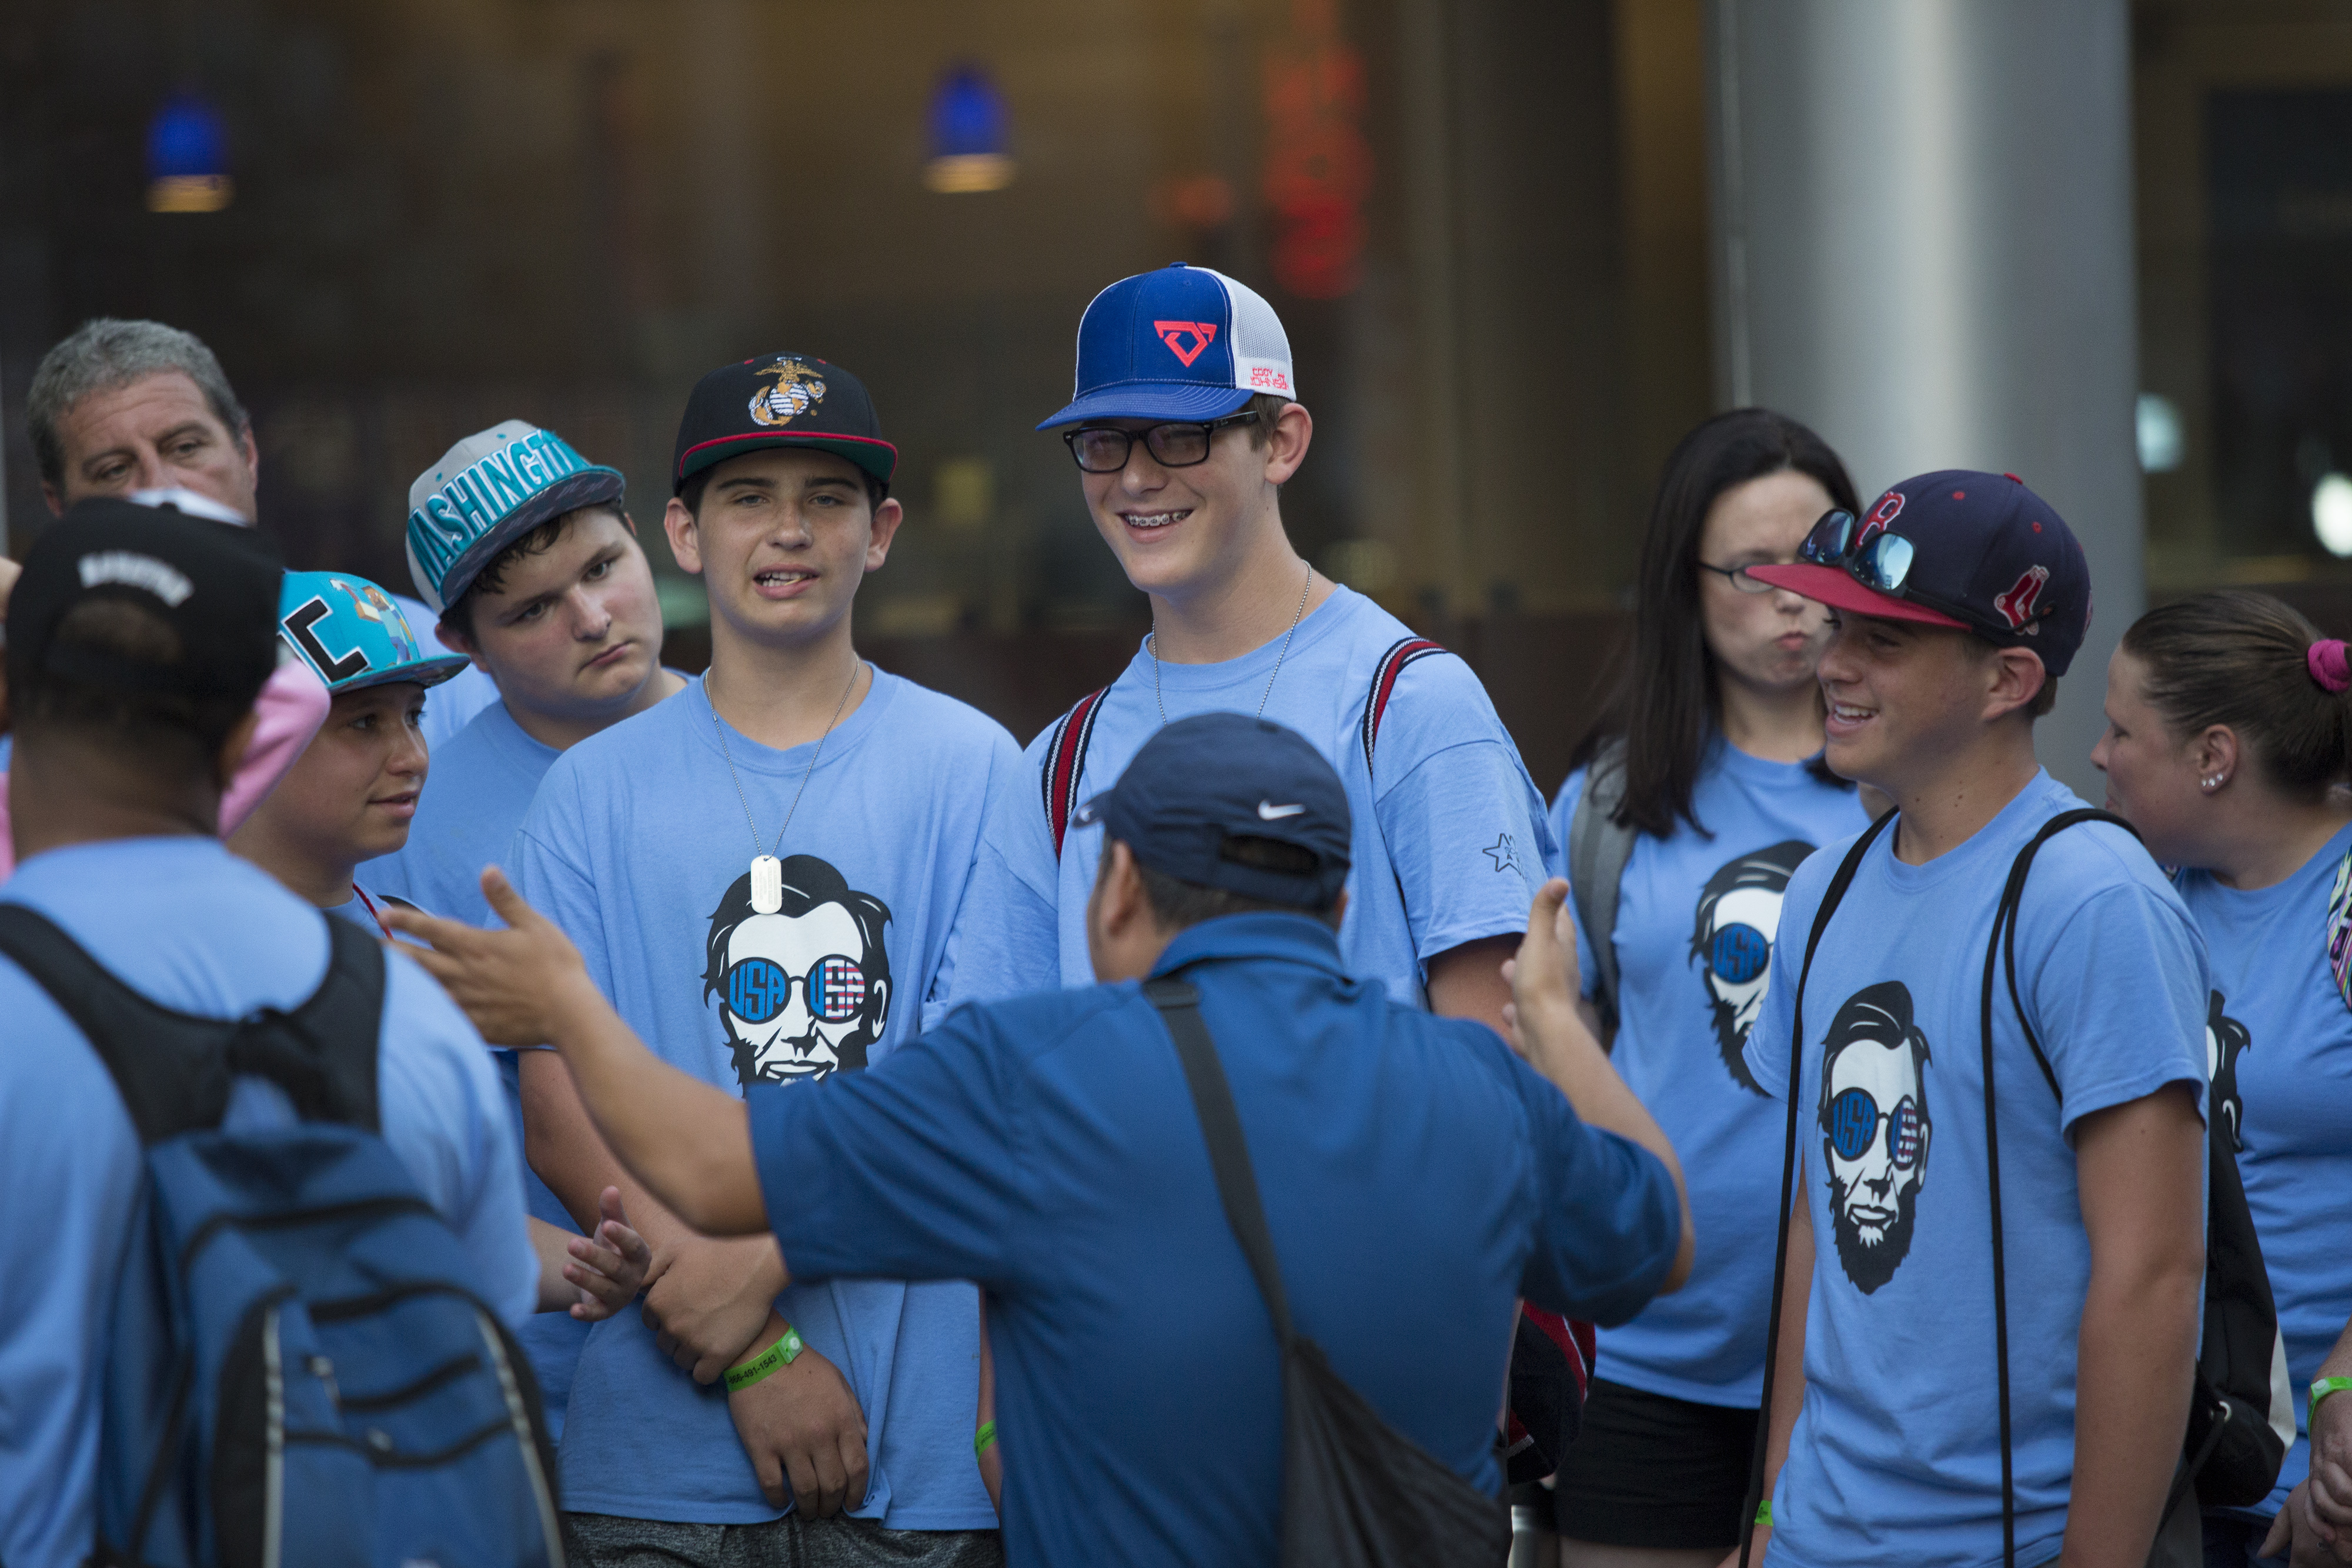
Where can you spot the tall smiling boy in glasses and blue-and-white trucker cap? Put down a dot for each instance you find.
(1184, 429)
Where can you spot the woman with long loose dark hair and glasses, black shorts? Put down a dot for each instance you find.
(1706, 791)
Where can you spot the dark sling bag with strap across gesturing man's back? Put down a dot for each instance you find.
(1356, 1492)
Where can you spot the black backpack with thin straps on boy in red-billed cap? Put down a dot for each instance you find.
(2236, 1440)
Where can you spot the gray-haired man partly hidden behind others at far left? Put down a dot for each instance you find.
(131, 408)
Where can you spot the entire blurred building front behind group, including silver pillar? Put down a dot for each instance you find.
(1497, 232)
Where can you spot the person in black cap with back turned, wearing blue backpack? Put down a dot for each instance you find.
(138, 643)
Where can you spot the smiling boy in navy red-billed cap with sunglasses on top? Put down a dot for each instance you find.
(1958, 603)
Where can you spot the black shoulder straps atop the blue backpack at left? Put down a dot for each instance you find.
(175, 1071)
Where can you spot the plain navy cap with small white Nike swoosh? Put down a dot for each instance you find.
(1205, 784)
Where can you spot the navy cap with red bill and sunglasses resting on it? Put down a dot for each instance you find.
(1965, 549)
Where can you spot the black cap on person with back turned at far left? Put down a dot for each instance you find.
(215, 584)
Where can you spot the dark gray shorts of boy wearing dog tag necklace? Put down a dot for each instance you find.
(603, 1541)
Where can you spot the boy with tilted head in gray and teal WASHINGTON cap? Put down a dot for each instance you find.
(526, 554)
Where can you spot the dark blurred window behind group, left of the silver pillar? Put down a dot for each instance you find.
(1483, 222)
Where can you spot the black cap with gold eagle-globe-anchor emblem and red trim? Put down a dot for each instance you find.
(780, 401)
